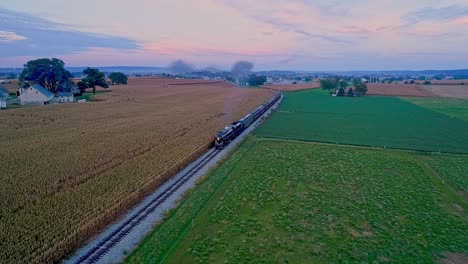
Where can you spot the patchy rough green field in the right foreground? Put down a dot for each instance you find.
(301, 202)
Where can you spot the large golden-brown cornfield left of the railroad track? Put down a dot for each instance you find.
(68, 170)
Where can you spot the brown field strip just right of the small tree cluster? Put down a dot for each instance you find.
(396, 89)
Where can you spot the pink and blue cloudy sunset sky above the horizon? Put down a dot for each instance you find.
(273, 34)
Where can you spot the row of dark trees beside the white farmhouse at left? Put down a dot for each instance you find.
(51, 74)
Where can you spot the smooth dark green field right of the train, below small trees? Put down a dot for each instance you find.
(387, 122)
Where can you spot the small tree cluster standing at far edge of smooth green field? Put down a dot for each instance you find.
(332, 84)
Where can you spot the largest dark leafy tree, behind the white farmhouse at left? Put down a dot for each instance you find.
(49, 73)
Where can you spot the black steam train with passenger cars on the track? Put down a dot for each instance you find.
(229, 133)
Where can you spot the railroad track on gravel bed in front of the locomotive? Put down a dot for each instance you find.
(98, 251)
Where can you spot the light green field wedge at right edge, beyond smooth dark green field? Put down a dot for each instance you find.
(452, 107)
